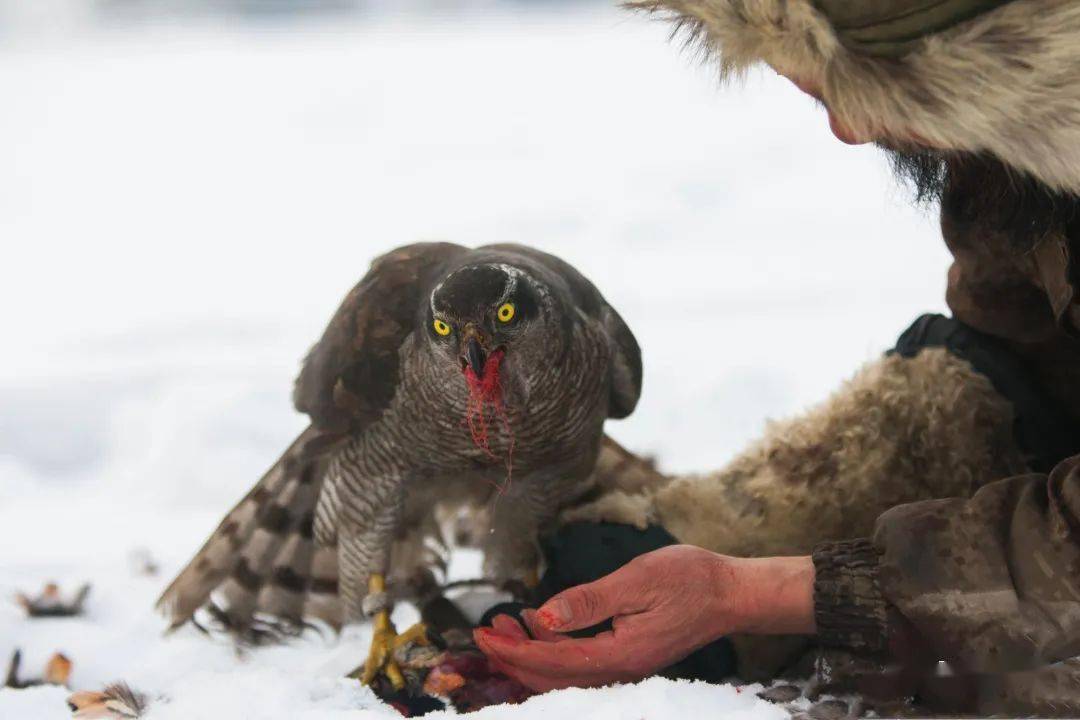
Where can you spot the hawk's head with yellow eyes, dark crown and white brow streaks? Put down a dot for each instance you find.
(482, 313)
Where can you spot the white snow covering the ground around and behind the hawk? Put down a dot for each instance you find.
(182, 208)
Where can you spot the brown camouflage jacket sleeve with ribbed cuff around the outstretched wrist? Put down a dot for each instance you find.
(990, 583)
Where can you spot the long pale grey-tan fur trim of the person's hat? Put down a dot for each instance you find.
(1005, 83)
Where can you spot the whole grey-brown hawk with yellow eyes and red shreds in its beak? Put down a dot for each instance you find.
(448, 375)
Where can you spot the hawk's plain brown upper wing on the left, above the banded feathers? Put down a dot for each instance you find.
(352, 374)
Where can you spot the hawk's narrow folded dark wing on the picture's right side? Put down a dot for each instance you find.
(626, 369)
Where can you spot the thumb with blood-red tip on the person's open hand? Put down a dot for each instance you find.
(591, 604)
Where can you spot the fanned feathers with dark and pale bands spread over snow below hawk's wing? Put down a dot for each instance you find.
(261, 573)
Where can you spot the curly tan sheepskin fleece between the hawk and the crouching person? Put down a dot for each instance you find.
(900, 431)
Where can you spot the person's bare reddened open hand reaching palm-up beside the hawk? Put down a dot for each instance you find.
(665, 605)
